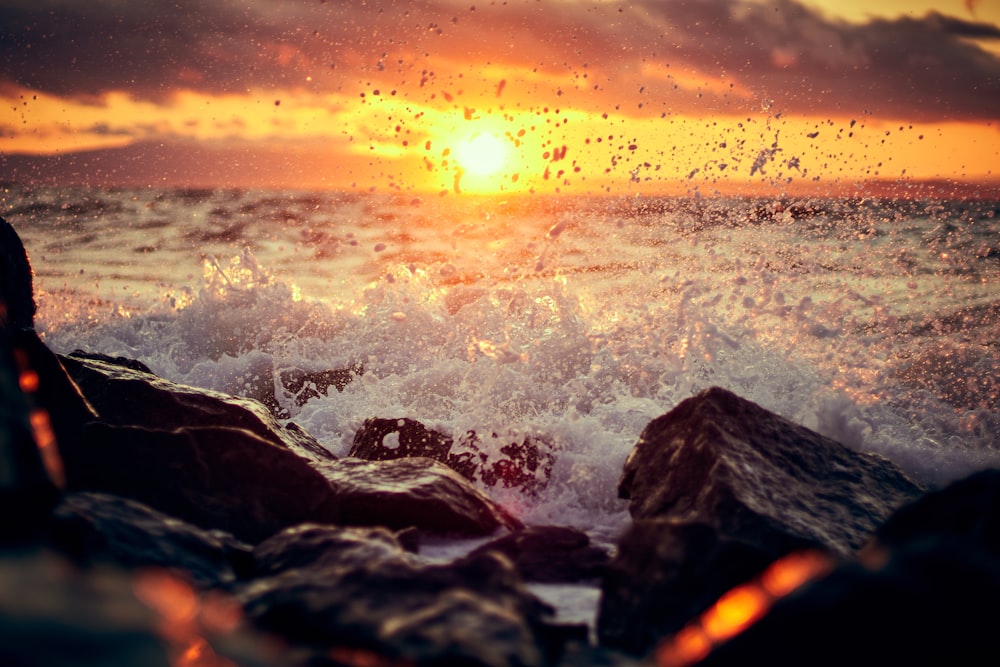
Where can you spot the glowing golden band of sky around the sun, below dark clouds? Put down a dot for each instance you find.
(380, 140)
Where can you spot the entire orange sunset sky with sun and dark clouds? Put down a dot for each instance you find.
(572, 96)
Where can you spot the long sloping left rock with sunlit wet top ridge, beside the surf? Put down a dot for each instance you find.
(123, 394)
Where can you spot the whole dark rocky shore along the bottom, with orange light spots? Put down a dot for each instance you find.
(150, 523)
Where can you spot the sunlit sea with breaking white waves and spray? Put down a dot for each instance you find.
(875, 322)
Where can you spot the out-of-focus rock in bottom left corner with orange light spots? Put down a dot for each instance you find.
(57, 614)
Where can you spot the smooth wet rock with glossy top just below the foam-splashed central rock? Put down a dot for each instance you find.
(413, 492)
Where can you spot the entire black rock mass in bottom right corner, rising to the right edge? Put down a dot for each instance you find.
(923, 593)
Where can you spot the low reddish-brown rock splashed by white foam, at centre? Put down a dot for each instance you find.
(524, 463)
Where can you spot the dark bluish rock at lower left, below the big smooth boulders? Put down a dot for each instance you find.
(98, 527)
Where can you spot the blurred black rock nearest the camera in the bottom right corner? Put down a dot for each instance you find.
(932, 603)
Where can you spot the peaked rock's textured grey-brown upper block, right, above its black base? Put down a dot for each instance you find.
(754, 476)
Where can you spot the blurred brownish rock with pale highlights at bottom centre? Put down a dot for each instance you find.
(471, 612)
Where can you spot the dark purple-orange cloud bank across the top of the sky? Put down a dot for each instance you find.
(597, 55)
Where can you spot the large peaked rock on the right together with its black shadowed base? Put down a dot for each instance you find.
(719, 489)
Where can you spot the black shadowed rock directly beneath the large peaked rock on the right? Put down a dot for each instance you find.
(667, 571)
